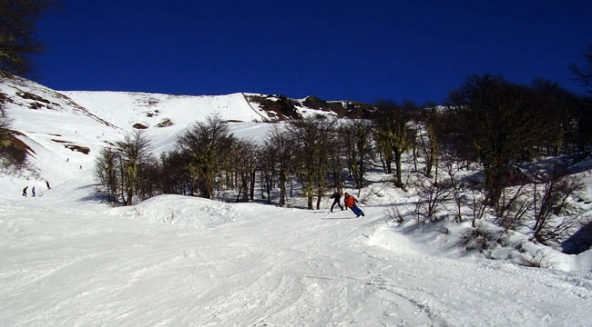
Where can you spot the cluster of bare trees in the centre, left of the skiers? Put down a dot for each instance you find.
(317, 154)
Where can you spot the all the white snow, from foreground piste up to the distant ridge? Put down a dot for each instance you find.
(66, 259)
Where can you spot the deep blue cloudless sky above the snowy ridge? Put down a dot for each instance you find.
(337, 50)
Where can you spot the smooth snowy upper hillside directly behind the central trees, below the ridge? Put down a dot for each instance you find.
(168, 116)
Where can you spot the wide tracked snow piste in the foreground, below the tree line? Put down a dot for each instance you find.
(73, 266)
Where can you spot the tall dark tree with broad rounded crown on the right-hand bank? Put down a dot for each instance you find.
(499, 123)
